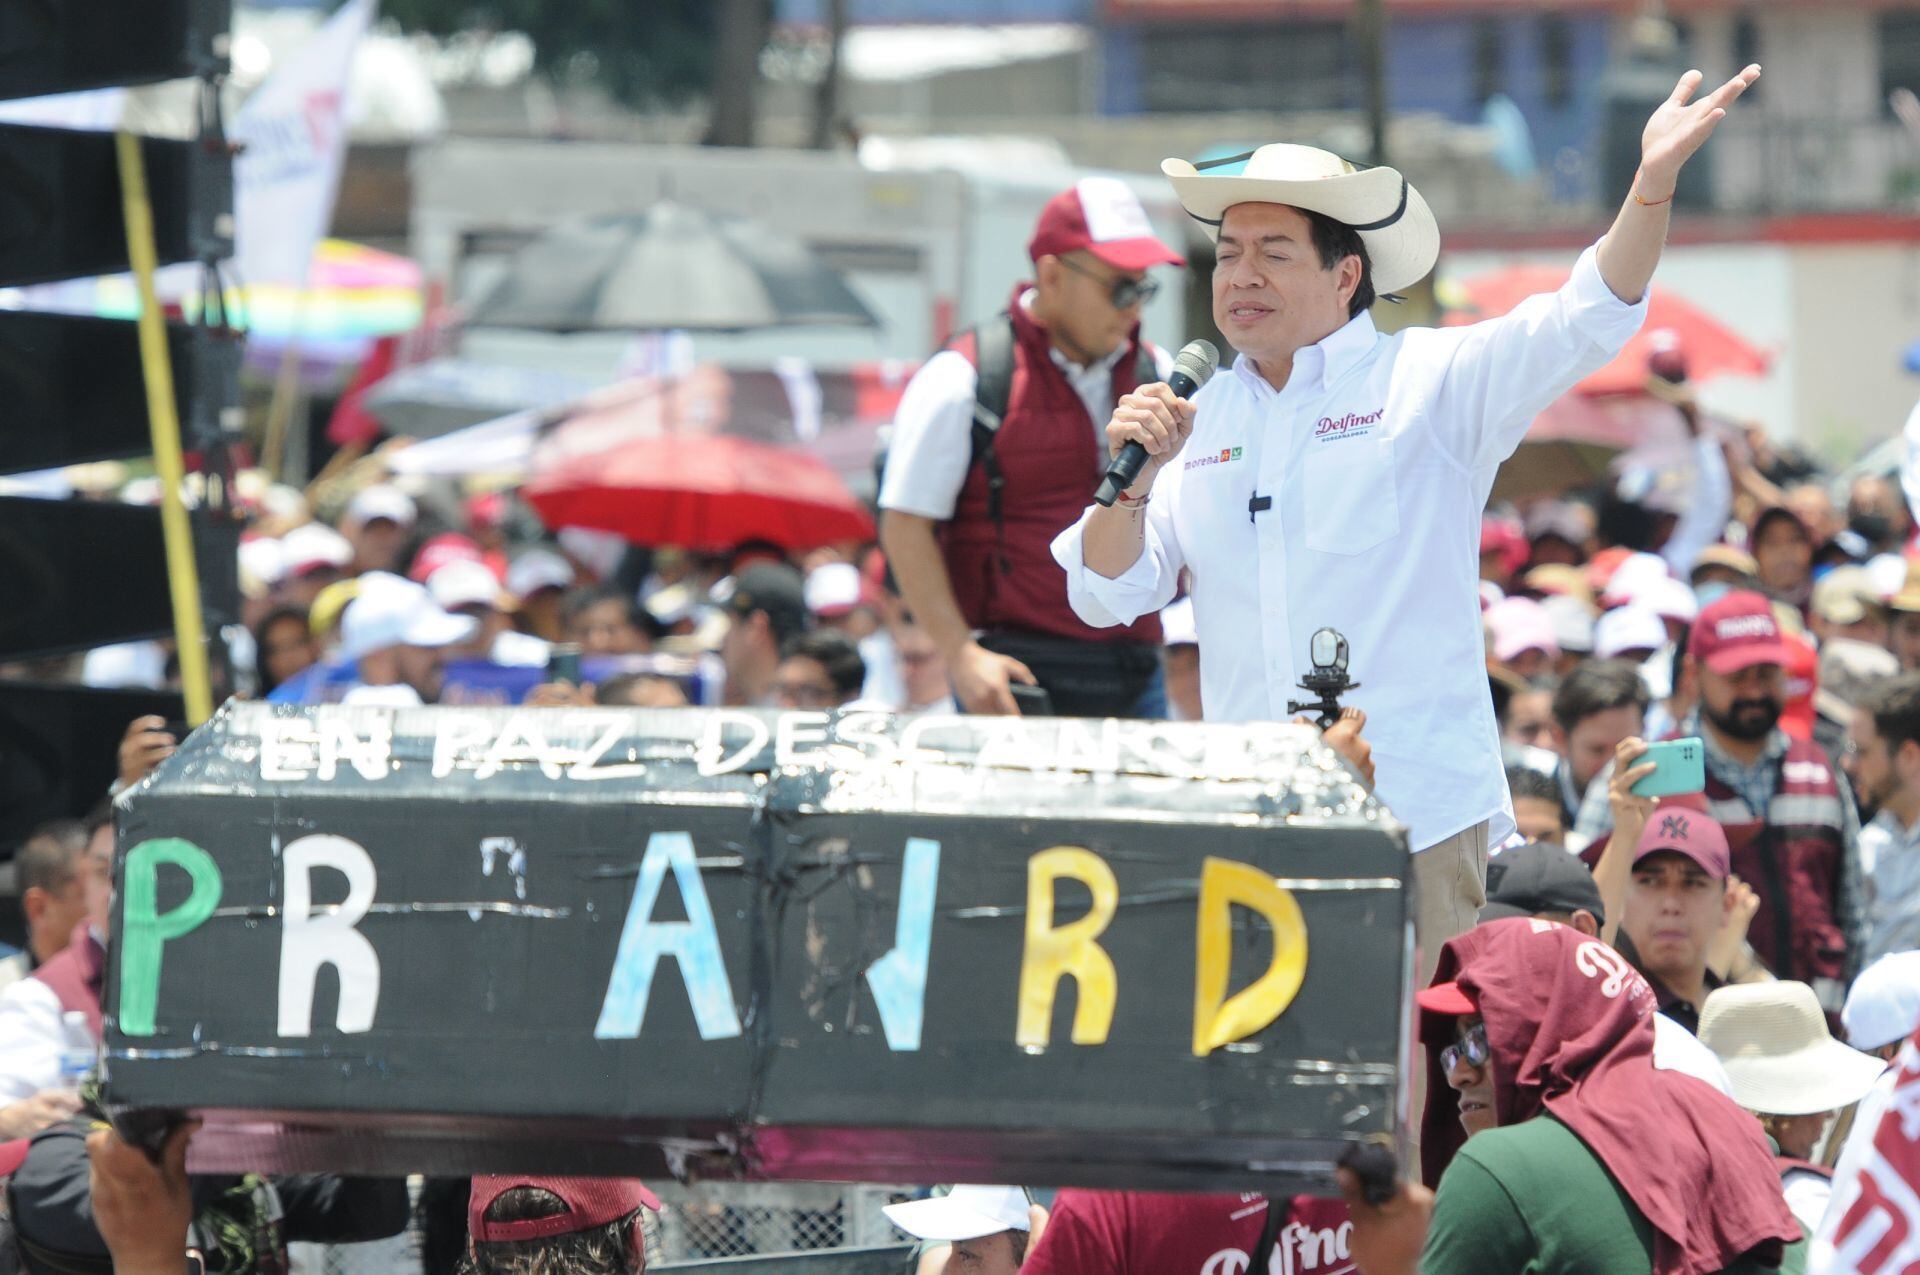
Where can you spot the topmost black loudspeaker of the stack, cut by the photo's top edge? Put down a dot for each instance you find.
(68, 45)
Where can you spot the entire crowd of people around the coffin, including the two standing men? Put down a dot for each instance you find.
(1643, 1019)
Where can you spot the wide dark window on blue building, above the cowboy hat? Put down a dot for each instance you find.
(1249, 68)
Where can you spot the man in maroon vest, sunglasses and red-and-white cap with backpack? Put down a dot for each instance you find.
(969, 535)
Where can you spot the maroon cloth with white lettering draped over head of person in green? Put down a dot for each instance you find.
(1572, 1032)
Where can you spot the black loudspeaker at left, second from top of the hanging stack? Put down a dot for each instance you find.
(60, 203)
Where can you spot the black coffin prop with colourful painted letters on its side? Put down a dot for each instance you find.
(834, 915)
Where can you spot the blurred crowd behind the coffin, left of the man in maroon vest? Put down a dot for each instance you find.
(429, 598)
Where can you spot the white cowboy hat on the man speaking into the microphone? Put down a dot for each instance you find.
(1391, 216)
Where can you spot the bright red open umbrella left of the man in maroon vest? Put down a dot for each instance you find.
(704, 493)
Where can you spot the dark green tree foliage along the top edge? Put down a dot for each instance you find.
(642, 51)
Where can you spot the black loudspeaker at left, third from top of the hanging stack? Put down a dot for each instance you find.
(76, 393)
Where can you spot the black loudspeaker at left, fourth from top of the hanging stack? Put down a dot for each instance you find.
(78, 575)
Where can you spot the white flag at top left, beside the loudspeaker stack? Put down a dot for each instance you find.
(295, 137)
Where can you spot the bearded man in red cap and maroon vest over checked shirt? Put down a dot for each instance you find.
(1788, 815)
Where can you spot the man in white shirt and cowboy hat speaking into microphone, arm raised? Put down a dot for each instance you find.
(1337, 477)
